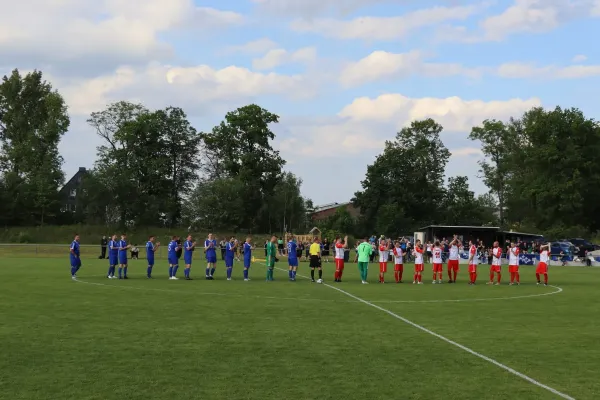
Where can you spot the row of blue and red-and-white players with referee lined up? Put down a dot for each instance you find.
(118, 257)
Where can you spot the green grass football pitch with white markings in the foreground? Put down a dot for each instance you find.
(159, 339)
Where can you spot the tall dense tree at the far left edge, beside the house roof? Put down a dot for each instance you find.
(33, 119)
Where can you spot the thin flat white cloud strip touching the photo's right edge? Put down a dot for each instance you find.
(523, 70)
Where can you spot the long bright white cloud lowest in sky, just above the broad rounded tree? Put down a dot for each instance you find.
(454, 113)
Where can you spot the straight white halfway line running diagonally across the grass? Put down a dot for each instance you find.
(449, 341)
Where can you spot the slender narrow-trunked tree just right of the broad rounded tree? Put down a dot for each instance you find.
(497, 145)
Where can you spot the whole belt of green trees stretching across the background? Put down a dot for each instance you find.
(154, 168)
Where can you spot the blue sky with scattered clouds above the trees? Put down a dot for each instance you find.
(343, 75)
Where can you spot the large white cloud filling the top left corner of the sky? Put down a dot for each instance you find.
(67, 30)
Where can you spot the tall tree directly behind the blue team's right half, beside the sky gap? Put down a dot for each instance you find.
(240, 147)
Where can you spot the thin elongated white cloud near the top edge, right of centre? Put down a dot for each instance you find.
(384, 28)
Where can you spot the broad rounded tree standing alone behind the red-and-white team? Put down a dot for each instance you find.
(406, 182)
